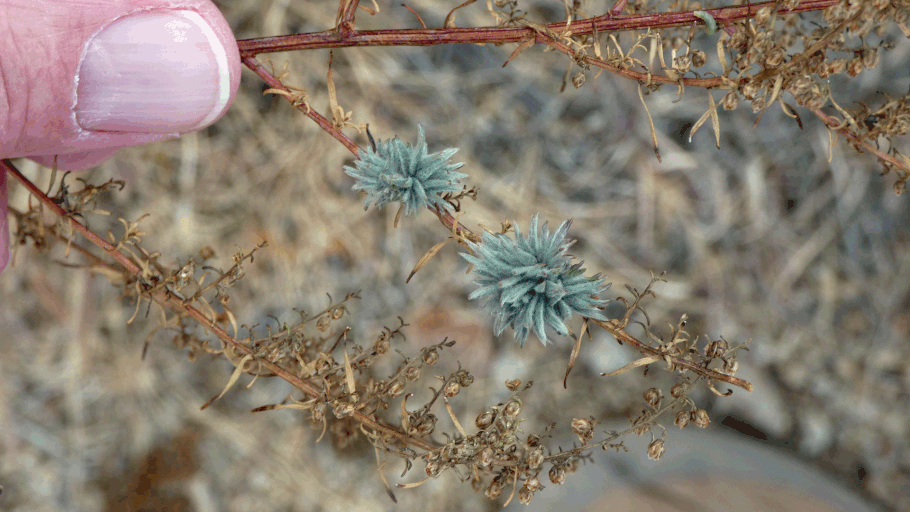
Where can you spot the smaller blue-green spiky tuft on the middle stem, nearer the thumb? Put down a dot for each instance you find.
(397, 171)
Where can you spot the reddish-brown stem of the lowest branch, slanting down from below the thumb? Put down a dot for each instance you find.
(164, 297)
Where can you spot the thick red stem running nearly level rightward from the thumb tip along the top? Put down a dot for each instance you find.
(496, 35)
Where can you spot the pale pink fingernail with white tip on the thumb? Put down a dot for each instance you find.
(153, 72)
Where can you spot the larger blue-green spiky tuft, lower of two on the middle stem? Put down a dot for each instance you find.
(530, 281)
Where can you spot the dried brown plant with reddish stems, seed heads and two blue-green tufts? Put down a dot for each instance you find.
(763, 51)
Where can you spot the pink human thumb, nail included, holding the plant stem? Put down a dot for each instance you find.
(104, 75)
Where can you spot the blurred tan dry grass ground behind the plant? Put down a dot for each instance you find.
(763, 239)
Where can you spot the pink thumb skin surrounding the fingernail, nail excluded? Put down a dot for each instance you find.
(41, 46)
